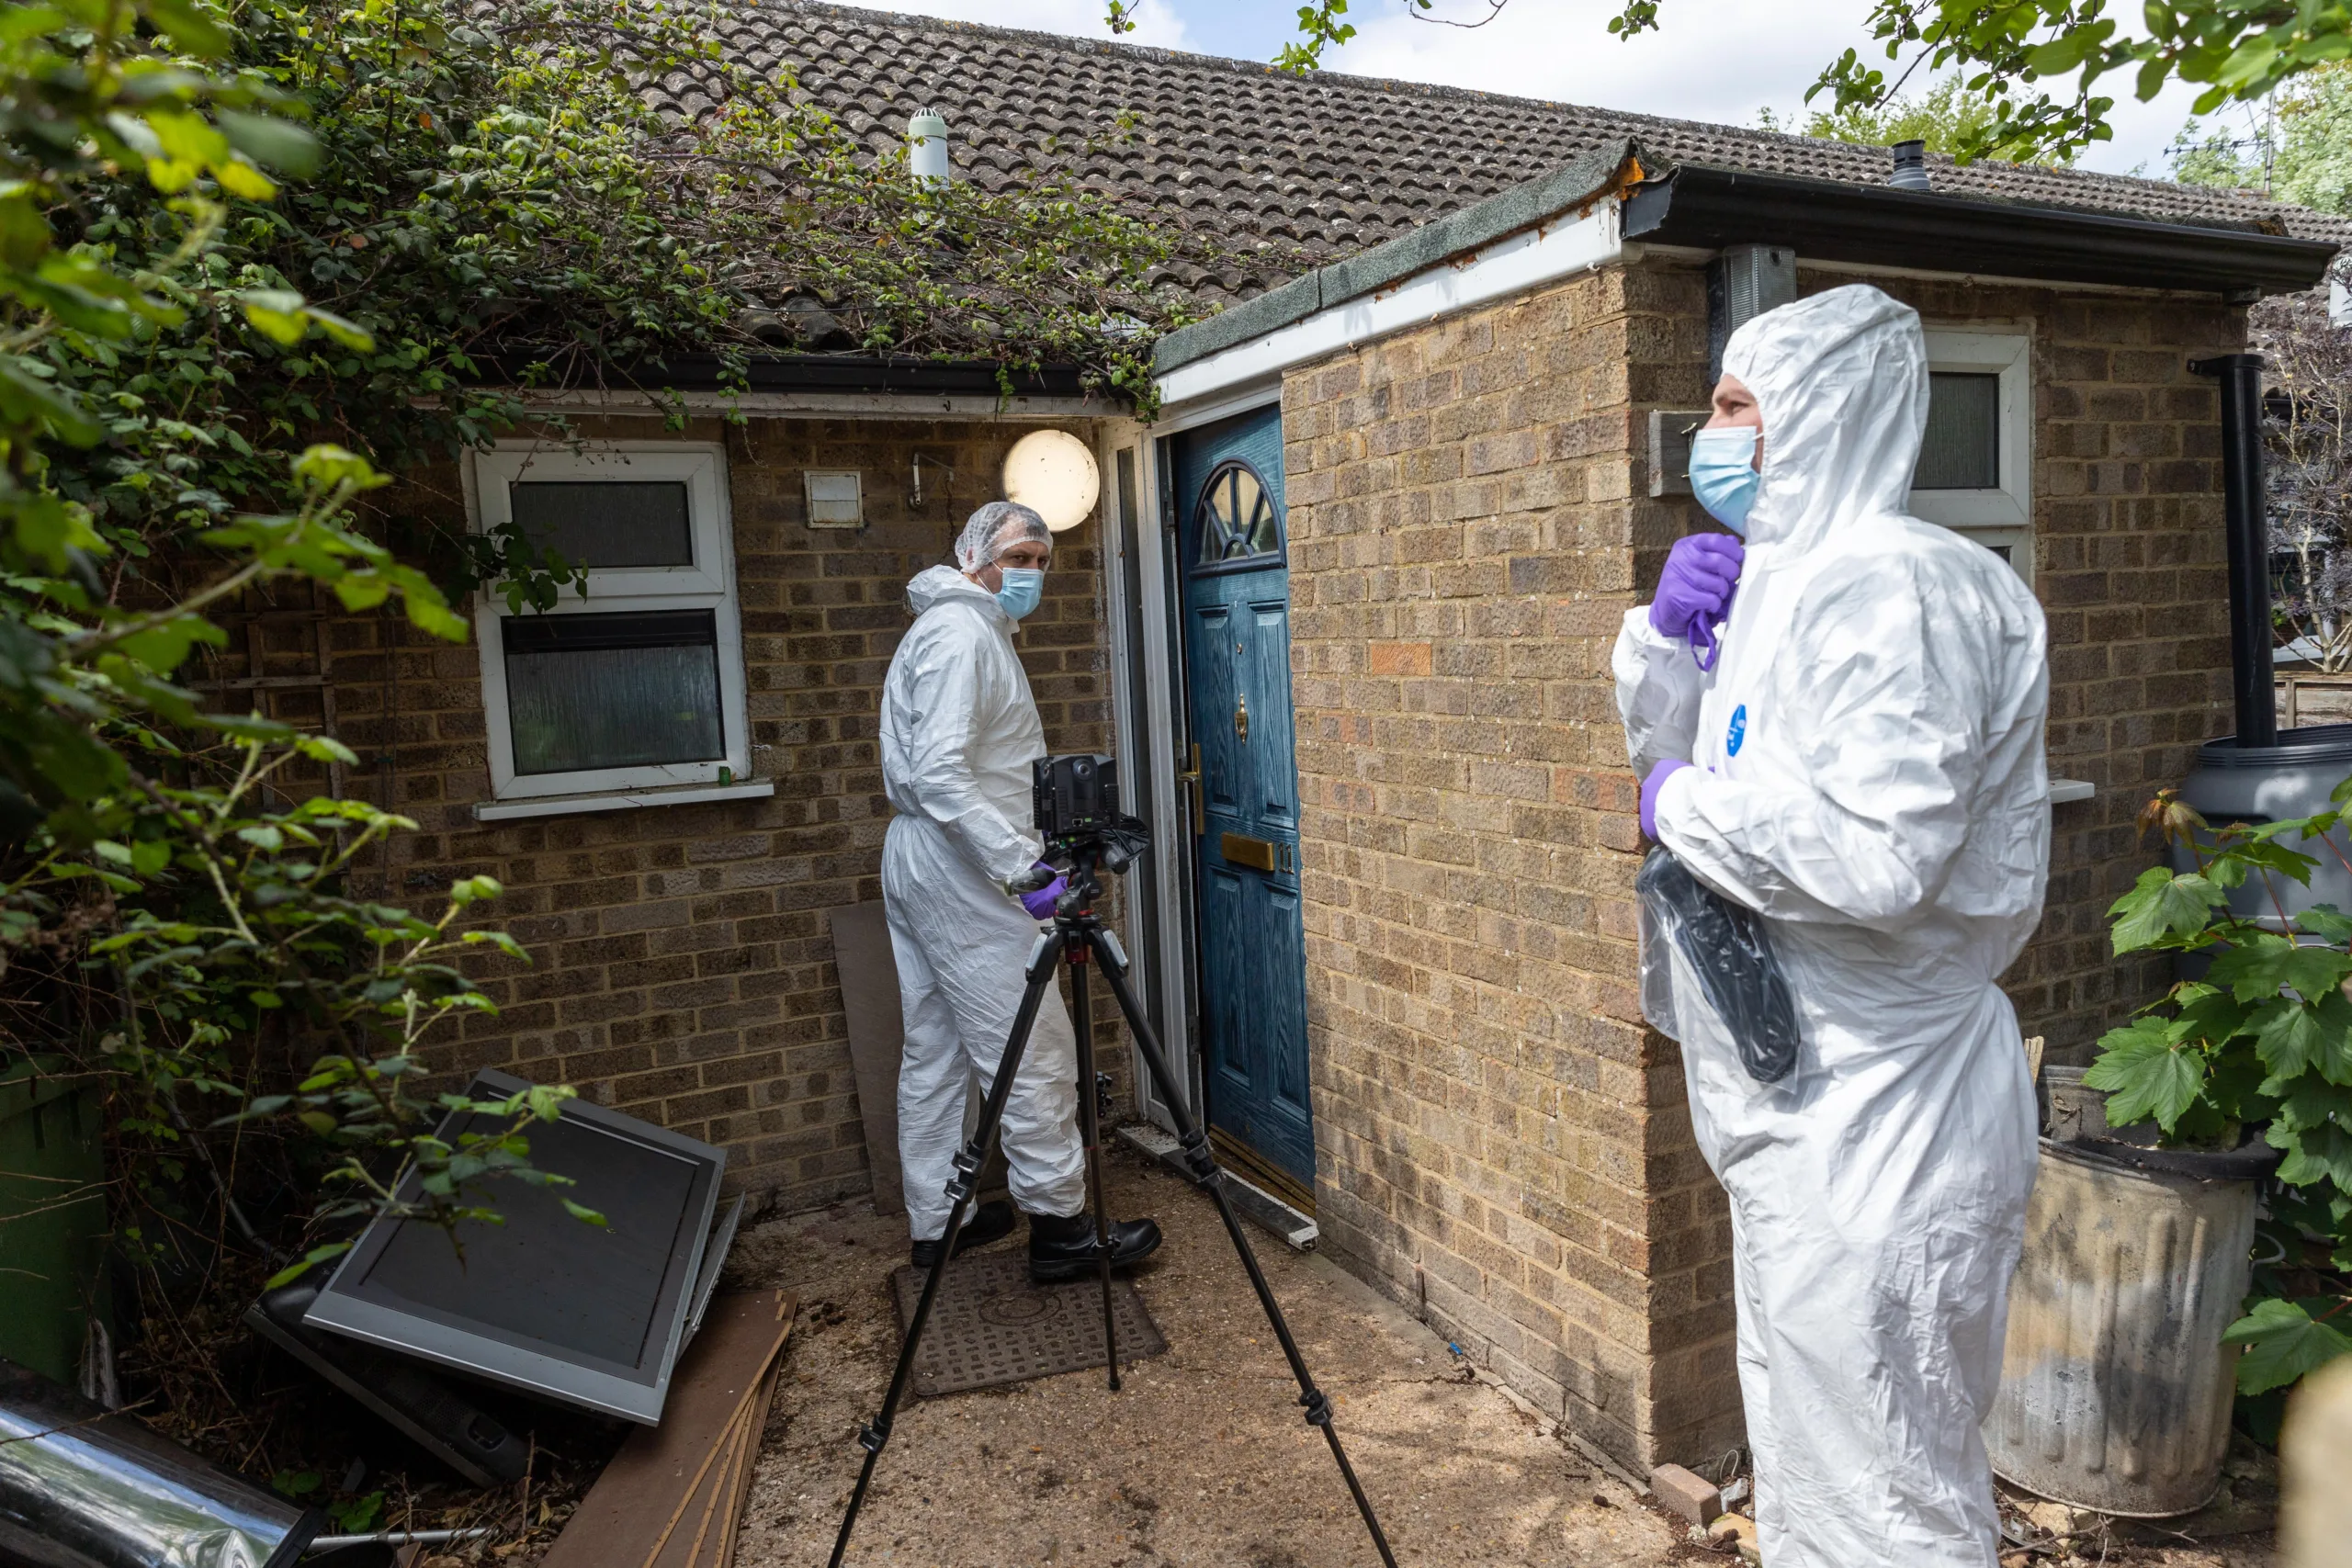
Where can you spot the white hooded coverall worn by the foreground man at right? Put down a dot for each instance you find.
(1871, 777)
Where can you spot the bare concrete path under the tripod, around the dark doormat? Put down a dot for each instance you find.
(1201, 1461)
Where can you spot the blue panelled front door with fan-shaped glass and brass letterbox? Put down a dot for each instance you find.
(1238, 674)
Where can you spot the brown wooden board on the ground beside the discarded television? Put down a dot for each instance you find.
(674, 1475)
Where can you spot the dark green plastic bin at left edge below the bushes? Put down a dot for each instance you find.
(53, 1217)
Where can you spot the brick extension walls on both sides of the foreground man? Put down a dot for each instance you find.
(1499, 1137)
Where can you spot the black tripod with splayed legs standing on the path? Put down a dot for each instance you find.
(1078, 934)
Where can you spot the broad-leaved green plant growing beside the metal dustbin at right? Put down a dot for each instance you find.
(2261, 1040)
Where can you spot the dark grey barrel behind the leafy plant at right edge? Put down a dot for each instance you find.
(2269, 784)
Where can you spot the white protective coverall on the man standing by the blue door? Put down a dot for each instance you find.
(958, 737)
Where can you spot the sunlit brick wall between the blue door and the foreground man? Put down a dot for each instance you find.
(1502, 1139)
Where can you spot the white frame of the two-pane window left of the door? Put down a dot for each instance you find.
(707, 584)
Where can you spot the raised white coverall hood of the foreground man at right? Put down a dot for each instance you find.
(1840, 380)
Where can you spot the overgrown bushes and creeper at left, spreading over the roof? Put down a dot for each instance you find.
(260, 257)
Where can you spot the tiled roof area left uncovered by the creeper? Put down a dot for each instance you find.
(1328, 163)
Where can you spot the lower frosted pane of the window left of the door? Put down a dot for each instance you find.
(610, 692)
